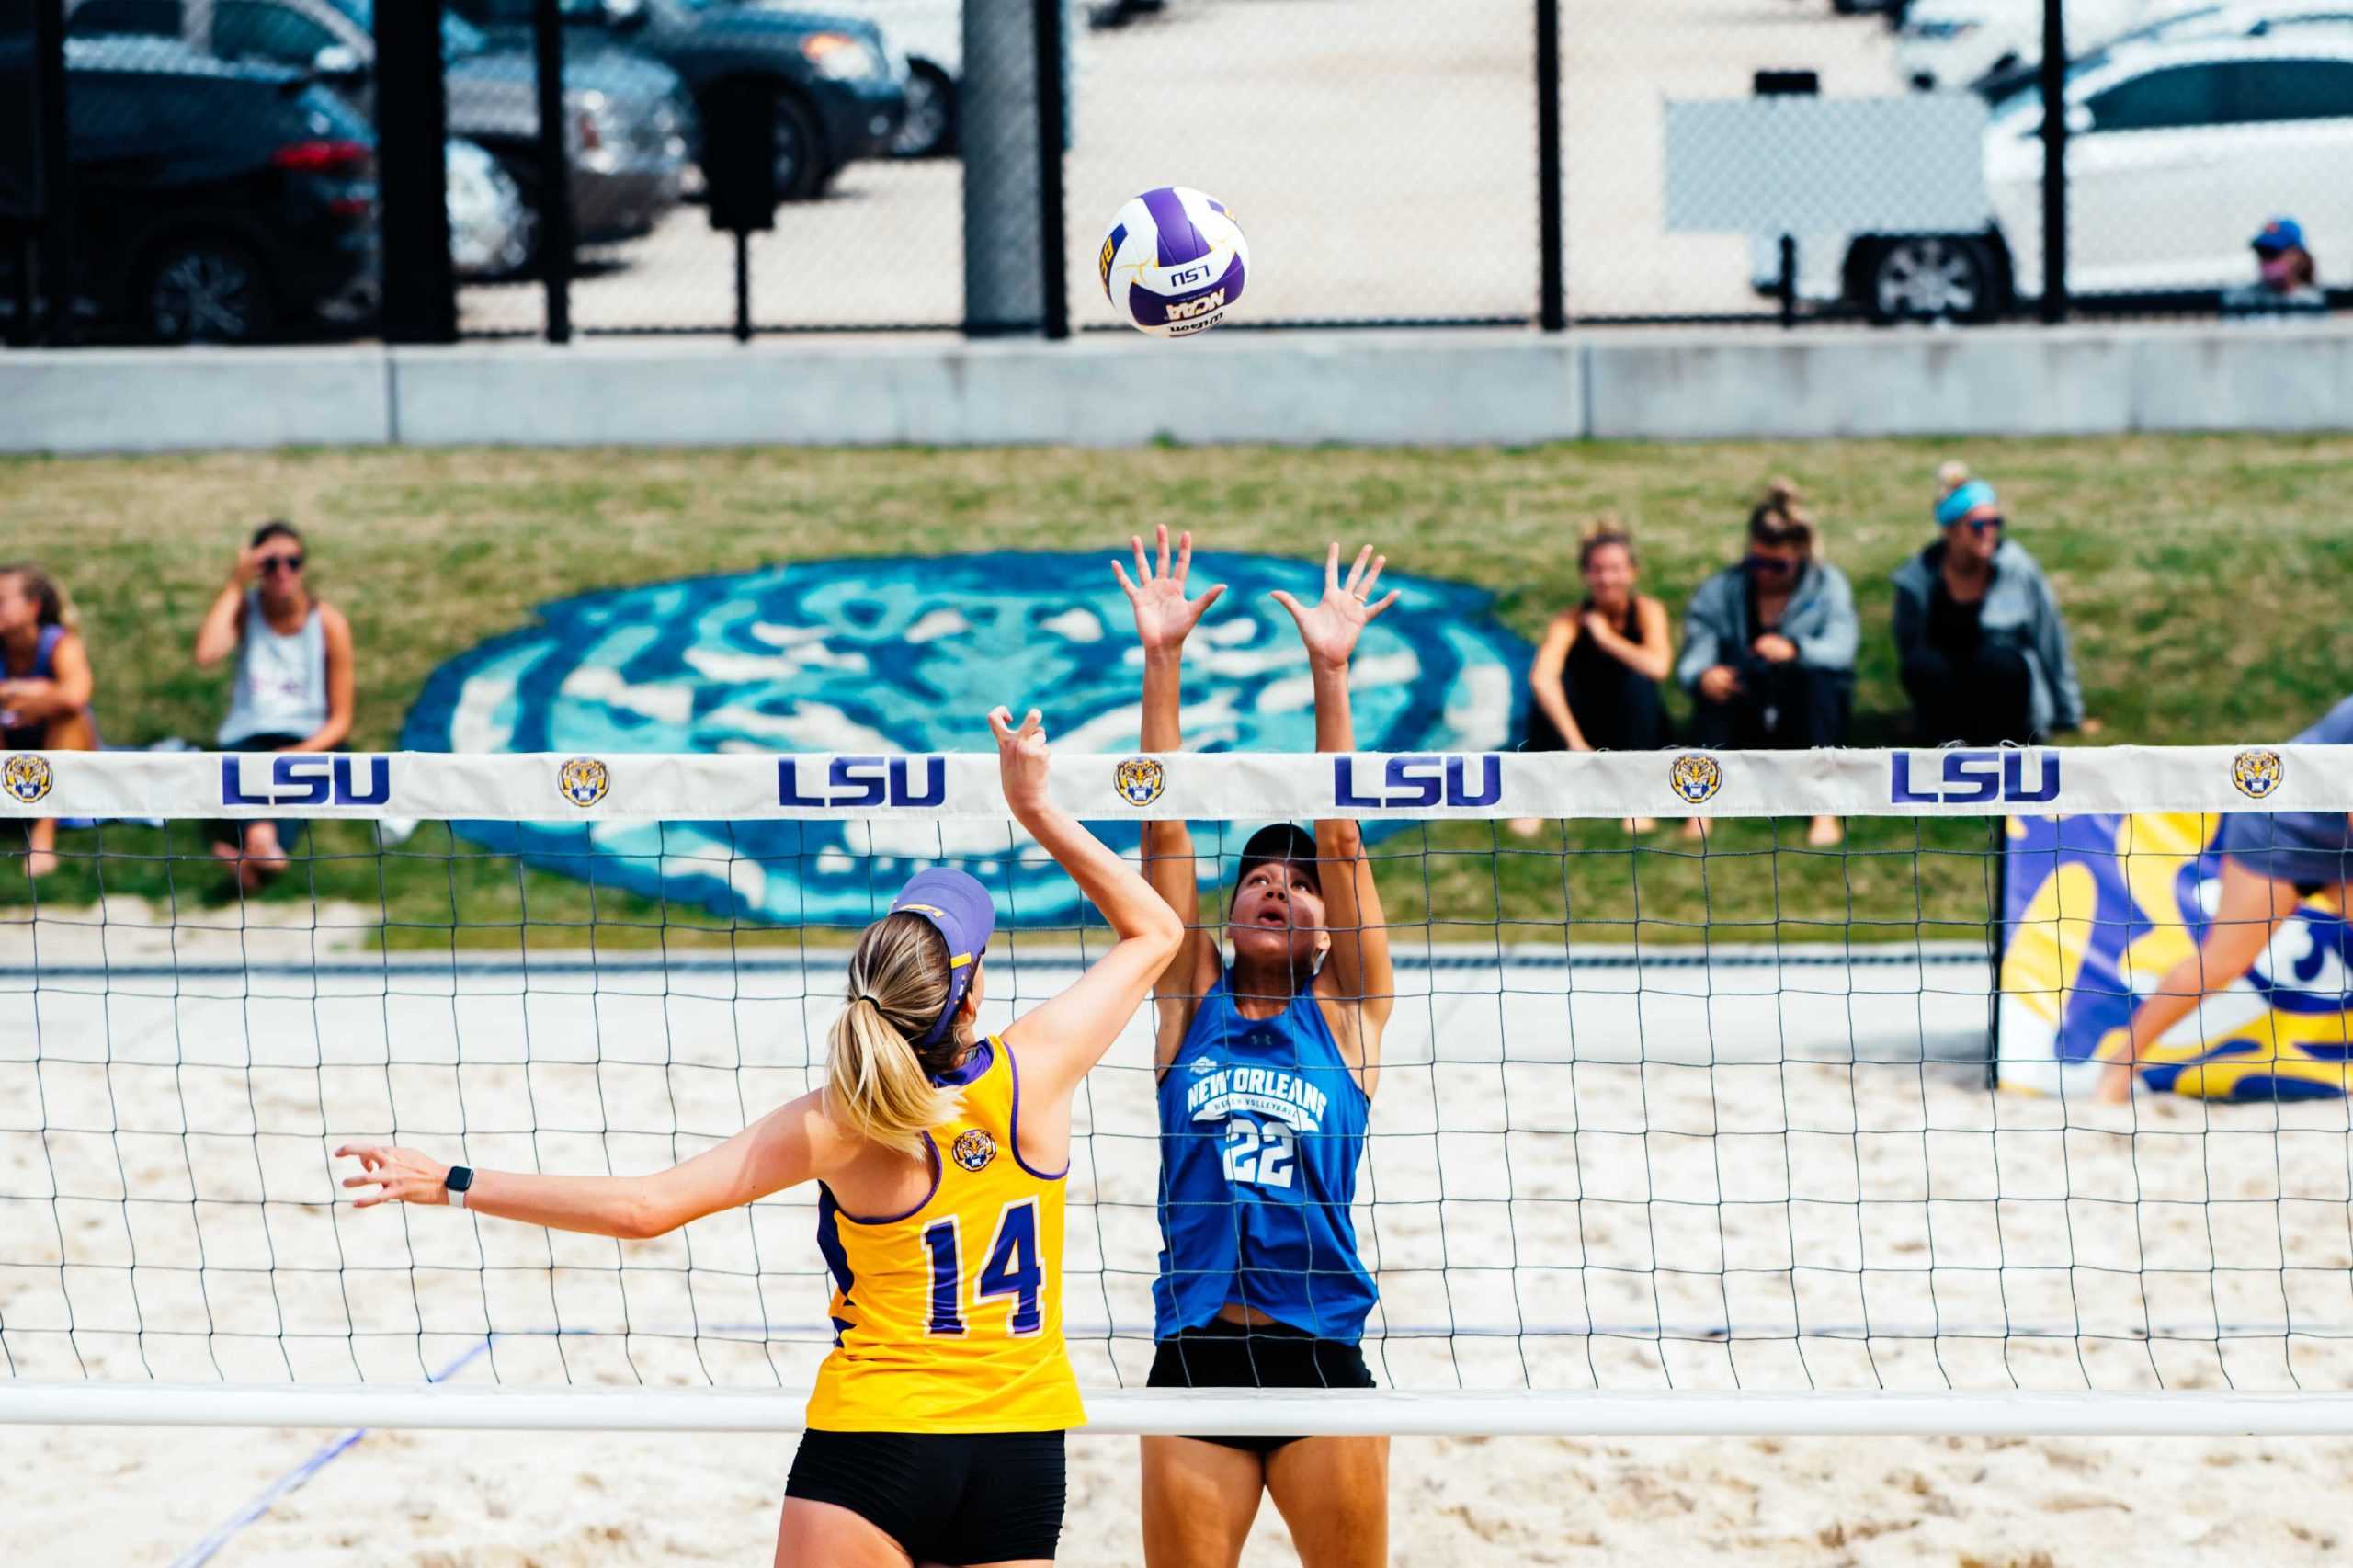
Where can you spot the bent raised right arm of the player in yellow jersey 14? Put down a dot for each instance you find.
(1062, 1039)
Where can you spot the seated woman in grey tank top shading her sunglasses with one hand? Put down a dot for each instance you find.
(293, 686)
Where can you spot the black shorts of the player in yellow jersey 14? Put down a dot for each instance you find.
(945, 1499)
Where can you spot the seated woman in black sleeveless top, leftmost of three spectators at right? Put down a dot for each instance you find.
(1597, 677)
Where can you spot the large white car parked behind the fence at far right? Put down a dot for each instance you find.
(2178, 152)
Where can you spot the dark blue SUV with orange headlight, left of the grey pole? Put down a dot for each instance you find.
(839, 88)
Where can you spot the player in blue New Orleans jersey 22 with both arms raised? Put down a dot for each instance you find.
(1267, 1072)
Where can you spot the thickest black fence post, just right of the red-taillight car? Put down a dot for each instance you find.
(413, 175)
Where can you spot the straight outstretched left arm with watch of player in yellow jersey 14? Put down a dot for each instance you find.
(794, 1143)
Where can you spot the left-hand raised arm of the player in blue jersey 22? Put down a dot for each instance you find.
(1164, 620)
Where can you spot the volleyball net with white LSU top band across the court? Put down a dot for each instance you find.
(1674, 1134)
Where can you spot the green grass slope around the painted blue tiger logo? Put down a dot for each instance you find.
(2204, 583)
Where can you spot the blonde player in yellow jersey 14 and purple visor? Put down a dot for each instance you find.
(938, 1423)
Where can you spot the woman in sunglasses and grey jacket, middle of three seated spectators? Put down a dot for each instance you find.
(1768, 646)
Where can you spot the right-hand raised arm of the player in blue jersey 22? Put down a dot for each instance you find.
(1359, 976)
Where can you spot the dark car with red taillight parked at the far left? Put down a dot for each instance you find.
(213, 201)
